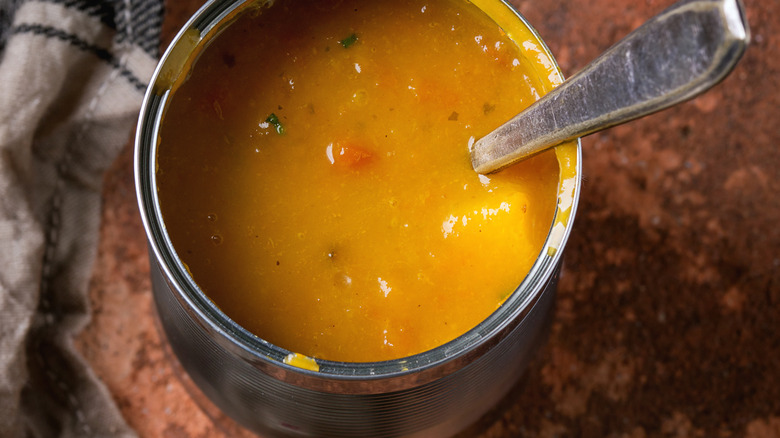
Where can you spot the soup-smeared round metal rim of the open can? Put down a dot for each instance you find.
(437, 362)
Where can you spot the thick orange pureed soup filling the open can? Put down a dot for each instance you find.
(314, 174)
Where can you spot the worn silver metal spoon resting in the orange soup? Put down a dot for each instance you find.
(673, 57)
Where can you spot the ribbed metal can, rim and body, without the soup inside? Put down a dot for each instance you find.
(435, 393)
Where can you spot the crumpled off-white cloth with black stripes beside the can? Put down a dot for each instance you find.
(72, 76)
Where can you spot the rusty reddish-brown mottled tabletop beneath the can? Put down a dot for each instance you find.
(668, 314)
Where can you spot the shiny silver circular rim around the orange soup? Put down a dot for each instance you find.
(210, 20)
